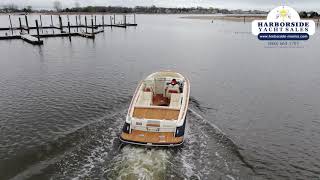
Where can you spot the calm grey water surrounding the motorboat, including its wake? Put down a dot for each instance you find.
(254, 111)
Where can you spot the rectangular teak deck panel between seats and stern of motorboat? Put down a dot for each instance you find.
(153, 113)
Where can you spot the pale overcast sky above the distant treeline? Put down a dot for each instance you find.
(230, 4)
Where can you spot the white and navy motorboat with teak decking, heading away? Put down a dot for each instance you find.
(157, 113)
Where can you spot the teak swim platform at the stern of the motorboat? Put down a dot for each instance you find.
(152, 137)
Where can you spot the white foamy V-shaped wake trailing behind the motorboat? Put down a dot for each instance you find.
(94, 151)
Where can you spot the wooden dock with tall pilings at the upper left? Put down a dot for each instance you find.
(89, 29)
